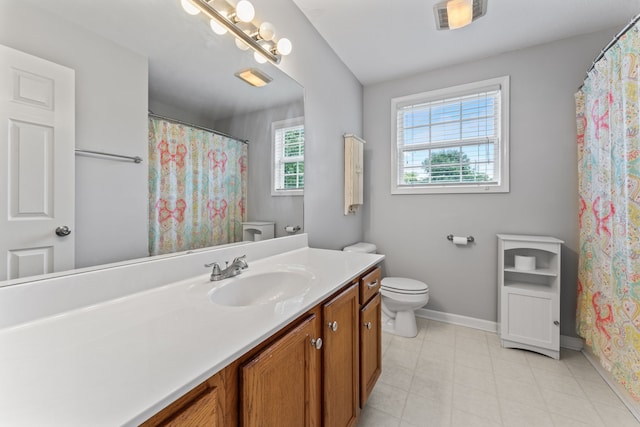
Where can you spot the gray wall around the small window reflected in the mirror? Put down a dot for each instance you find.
(261, 205)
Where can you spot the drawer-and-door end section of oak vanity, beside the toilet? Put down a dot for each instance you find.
(370, 333)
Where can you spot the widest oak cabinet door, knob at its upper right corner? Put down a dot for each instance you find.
(280, 386)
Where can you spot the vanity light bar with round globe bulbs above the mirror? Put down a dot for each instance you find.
(261, 38)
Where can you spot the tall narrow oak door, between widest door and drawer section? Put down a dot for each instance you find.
(340, 366)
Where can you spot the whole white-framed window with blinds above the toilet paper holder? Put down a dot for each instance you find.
(452, 140)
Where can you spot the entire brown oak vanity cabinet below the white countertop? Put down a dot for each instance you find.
(307, 374)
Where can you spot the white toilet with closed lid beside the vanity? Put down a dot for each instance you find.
(401, 297)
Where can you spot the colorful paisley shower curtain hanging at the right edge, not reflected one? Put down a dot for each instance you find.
(608, 308)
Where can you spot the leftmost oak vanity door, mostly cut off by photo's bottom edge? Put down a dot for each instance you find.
(202, 406)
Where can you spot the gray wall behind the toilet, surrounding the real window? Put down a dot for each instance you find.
(411, 229)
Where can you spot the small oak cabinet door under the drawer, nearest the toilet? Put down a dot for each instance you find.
(370, 347)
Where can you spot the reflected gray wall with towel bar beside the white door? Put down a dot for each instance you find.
(111, 109)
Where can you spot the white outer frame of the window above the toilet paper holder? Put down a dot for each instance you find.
(502, 155)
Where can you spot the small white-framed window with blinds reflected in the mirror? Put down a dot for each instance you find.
(288, 157)
